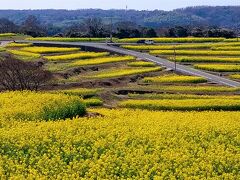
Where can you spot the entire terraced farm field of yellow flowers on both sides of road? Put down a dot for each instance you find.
(111, 116)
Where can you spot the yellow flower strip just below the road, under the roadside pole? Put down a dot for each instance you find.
(173, 78)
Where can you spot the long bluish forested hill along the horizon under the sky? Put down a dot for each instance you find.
(222, 16)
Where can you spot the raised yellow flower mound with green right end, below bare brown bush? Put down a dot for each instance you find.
(31, 105)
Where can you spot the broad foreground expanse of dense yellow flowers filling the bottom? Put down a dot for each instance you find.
(124, 144)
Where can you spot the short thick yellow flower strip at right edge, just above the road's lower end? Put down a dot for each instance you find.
(219, 67)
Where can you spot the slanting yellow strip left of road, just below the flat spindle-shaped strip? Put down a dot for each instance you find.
(80, 55)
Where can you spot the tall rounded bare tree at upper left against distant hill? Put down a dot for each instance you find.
(32, 27)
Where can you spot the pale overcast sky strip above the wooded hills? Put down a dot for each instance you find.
(111, 4)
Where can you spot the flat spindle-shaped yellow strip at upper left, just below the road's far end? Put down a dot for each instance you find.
(45, 50)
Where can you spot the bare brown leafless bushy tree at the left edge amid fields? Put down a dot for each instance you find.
(20, 75)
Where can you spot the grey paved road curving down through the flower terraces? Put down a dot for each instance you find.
(160, 61)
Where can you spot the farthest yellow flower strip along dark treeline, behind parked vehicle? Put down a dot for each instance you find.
(173, 40)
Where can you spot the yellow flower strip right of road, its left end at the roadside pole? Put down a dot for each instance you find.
(206, 59)
